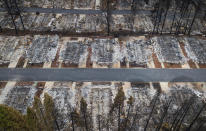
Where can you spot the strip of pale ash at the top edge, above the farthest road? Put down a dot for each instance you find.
(80, 4)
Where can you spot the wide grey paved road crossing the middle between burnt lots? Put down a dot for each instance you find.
(137, 75)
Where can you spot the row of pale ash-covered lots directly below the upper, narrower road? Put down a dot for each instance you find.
(87, 23)
